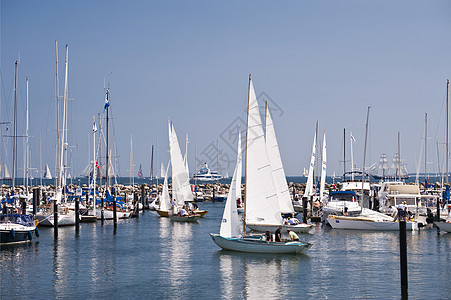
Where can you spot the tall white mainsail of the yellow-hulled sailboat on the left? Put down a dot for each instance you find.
(181, 189)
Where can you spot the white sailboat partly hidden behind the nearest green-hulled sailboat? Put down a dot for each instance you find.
(280, 185)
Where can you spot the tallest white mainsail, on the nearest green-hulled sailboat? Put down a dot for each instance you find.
(262, 206)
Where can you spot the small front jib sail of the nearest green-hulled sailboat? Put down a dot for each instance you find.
(230, 225)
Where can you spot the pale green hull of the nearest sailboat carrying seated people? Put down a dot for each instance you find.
(257, 245)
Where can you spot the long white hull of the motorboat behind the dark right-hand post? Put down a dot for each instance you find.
(361, 223)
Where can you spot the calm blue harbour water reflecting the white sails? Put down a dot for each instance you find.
(153, 258)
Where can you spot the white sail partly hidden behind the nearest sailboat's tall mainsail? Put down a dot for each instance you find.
(280, 180)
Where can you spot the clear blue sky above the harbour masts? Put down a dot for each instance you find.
(189, 61)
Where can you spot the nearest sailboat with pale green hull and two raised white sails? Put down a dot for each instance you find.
(261, 204)
